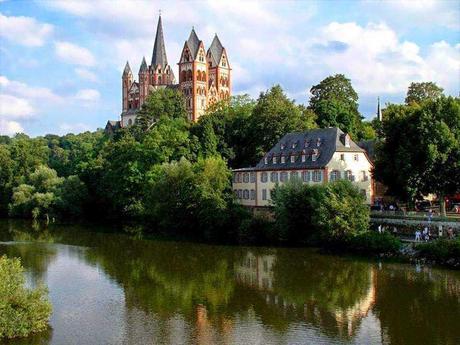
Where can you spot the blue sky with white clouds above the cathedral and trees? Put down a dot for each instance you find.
(61, 61)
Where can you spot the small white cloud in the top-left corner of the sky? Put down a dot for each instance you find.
(24, 30)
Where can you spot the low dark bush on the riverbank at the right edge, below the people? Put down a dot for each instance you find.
(440, 250)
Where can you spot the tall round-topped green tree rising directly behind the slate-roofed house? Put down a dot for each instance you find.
(335, 102)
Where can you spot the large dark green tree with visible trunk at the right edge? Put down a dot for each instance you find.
(426, 159)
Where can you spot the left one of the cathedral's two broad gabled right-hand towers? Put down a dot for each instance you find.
(193, 76)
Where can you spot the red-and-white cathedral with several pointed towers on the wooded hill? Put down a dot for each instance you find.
(204, 78)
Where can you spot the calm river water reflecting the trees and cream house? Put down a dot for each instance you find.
(112, 288)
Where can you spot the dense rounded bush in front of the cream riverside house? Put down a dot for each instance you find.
(331, 211)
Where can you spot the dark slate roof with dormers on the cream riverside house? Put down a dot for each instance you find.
(330, 140)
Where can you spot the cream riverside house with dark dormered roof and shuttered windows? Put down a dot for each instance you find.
(313, 157)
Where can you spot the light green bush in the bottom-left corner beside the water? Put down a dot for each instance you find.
(22, 311)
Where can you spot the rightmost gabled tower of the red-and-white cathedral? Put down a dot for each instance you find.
(219, 72)
